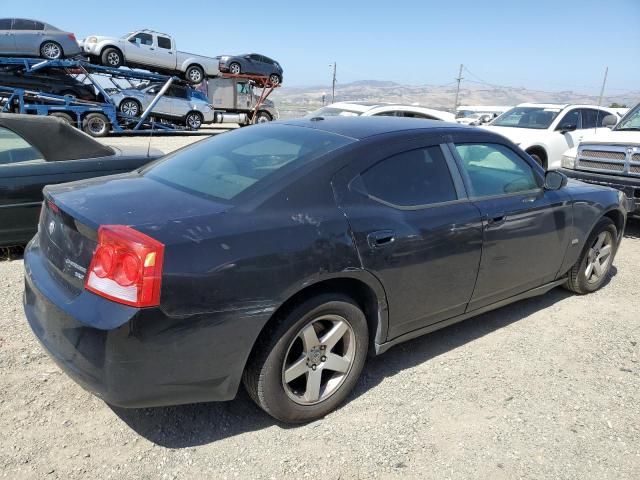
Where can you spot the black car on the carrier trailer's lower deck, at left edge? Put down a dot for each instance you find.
(54, 81)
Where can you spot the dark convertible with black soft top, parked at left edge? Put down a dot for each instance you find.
(36, 151)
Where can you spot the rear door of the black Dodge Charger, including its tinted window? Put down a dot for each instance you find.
(414, 229)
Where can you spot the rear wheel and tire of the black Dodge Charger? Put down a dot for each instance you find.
(306, 364)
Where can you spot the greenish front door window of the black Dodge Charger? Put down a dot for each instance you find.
(494, 169)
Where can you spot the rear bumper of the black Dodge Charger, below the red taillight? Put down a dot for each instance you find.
(136, 357)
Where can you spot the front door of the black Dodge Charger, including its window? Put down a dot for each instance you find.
(525, 227)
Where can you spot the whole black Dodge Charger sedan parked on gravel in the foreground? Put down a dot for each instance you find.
(280, 255)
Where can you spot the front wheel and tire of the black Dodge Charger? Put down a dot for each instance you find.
(593, 267)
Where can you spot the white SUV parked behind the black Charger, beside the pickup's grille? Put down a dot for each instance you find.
(546, 131)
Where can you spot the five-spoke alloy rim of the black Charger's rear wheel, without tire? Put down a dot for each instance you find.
(318, 360)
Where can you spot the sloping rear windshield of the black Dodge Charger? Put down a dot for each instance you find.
(227, 164)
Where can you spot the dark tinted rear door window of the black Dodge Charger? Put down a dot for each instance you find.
(409, 179)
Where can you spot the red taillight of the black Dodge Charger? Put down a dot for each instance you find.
(126, 267)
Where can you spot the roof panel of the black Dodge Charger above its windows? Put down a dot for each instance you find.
(363, 127)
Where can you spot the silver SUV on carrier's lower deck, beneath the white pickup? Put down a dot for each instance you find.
(181, 103)
